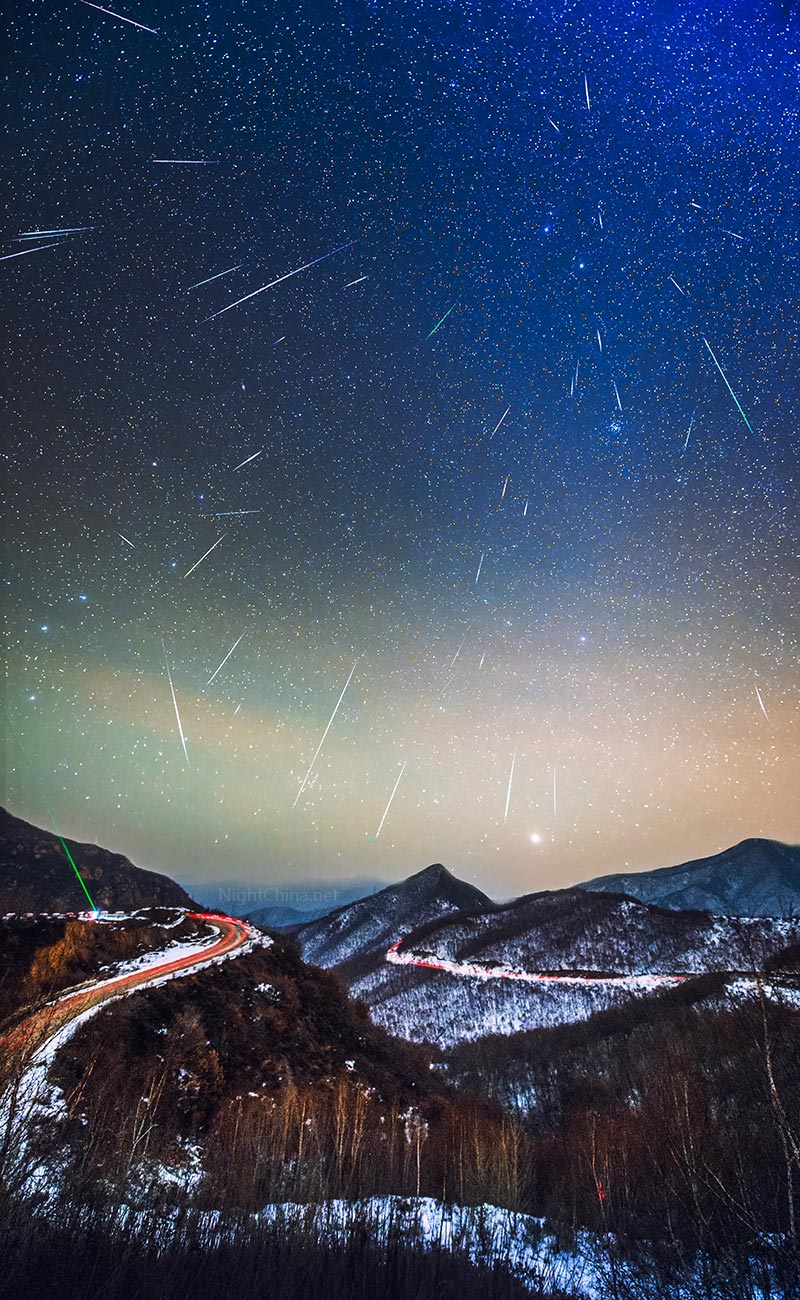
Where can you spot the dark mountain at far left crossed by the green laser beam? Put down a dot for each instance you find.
(36, 876)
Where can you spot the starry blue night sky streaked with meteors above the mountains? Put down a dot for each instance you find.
(576, 222)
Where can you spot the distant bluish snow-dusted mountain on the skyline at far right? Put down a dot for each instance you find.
(756, 878)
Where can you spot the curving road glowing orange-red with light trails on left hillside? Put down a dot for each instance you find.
(34, 1033)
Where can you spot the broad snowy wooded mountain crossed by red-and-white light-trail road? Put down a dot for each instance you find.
(569, 933)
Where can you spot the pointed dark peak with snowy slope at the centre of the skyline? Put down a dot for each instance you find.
(367, 928)
